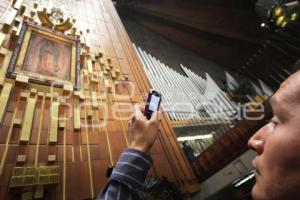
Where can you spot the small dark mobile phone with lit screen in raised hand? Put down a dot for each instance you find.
(153, 103)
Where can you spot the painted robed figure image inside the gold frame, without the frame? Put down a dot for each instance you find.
(48, 57)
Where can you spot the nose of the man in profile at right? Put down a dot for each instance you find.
(257, 141)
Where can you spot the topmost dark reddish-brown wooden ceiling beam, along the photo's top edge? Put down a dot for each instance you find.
(236, 24)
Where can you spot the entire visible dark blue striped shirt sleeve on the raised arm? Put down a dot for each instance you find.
(127, 177)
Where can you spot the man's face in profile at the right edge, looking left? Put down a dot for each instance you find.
(277, 165)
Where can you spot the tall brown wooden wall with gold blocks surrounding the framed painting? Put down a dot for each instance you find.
(89, 141)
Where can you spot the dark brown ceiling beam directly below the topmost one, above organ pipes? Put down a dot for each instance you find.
(224, 51)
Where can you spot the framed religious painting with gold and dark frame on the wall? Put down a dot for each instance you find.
(46, 57)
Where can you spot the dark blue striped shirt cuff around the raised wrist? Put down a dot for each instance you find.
(132, 168)
